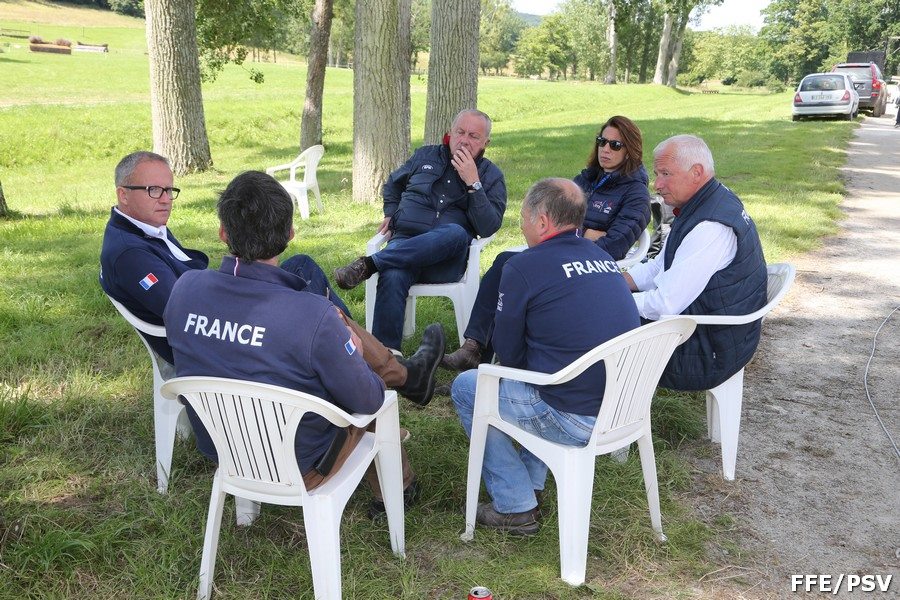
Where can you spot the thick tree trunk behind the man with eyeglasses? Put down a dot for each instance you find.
(176, 103)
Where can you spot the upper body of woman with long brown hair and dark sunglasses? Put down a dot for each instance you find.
(615, 183)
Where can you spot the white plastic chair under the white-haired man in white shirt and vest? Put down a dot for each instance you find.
(723, 402)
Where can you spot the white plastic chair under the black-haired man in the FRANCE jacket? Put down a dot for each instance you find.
(253, 426)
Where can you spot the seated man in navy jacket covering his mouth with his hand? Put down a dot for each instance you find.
(434, 205)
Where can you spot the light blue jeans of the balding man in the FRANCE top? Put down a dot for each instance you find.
(511, 476)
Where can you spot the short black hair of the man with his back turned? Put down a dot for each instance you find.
(256, 214)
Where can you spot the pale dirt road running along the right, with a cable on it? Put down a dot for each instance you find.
(818, 480)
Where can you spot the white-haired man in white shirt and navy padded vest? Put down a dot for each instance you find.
(711, 263)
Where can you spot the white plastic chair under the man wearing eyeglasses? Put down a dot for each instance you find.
(169, 418)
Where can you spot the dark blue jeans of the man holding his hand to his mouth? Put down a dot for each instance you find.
(436, 256)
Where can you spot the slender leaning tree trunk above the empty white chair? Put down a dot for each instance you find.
(311, 122)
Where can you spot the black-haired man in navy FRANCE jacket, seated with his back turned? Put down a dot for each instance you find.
(254, 321)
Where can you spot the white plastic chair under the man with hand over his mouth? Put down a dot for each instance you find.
(462, 293)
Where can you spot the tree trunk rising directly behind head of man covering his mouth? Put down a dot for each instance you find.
(452, 64)
